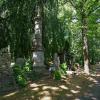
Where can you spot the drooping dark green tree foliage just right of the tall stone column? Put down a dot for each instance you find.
(55, 28)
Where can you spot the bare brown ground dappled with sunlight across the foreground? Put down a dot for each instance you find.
(69, 88)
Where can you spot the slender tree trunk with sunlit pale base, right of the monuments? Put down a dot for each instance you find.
(85, 44)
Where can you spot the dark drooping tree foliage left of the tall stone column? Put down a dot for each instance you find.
(17, 15)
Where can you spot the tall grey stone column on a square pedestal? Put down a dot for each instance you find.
(38, 54)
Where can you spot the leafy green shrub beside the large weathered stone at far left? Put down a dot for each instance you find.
(21, 73)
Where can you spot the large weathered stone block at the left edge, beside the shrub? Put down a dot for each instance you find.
(6, 73)
